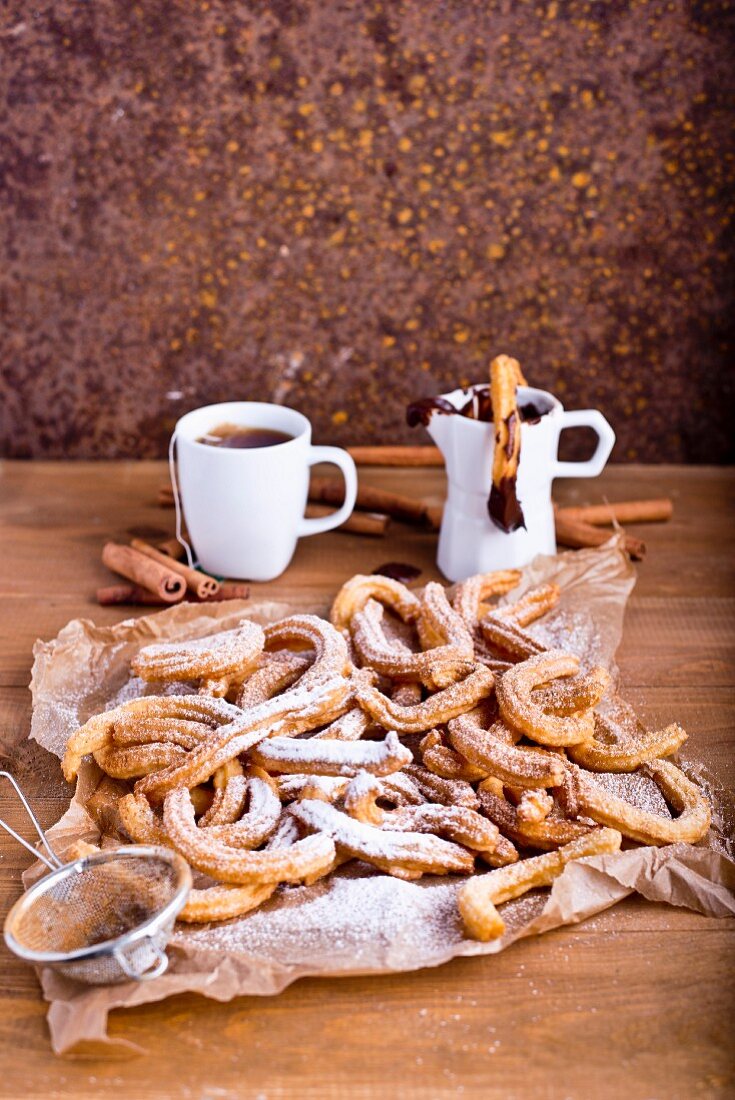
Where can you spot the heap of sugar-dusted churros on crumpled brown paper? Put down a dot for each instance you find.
(422, 733)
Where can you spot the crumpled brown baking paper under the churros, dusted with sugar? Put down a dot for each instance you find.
(356, 922)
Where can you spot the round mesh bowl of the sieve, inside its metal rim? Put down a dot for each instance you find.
(96, 904)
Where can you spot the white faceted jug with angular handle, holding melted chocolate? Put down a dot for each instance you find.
(469, 542)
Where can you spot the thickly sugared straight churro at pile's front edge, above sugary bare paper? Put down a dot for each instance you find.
(404, 855)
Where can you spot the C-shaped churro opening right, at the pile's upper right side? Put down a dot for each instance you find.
(520, 709)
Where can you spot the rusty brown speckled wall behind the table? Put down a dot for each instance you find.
(344, 206)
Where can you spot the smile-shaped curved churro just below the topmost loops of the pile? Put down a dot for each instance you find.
(437, 709)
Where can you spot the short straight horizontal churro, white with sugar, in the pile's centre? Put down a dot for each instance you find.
(332, 757)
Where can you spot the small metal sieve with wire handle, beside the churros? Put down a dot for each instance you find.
(103, 919)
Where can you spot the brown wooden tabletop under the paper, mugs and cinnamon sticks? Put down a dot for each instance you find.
(637, 1003)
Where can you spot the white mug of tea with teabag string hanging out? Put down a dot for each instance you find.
(245, 508)
